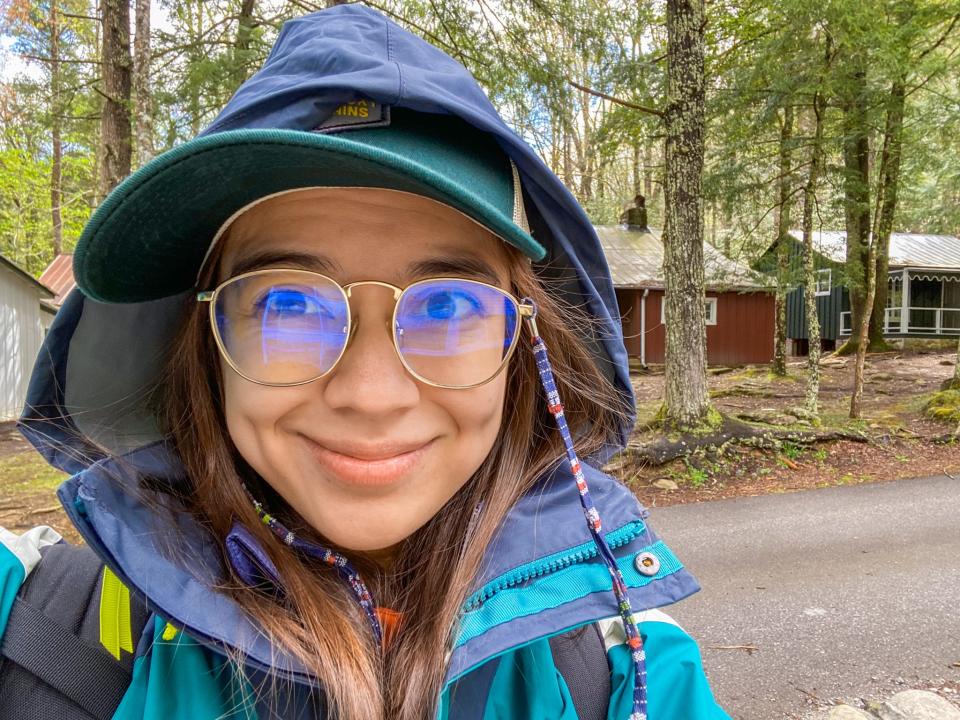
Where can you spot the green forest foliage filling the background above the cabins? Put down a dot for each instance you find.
(530, 58)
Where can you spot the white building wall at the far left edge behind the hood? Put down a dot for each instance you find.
(25, 315)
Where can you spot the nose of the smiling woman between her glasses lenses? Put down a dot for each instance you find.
(370, 378)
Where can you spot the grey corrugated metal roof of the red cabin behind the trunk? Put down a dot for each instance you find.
(636, 260)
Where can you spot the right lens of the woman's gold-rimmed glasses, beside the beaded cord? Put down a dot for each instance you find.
(455, 332)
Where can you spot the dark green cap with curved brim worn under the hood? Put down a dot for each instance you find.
(150, 236)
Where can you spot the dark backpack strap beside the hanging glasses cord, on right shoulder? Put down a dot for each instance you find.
(581, 658)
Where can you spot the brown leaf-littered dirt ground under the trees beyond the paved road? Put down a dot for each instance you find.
(900, 440)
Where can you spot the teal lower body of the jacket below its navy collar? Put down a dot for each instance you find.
(178, 677)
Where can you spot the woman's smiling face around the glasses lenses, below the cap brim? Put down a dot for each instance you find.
(366, 454)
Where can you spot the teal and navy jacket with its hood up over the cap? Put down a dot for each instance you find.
(88, 414)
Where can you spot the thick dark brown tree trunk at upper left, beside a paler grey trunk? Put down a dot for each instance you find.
(115, 145)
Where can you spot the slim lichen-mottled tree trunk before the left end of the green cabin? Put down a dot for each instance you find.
(809, 274)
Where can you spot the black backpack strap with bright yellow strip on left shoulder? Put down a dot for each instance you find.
(61, 657)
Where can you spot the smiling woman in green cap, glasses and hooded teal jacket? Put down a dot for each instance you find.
(307, 403)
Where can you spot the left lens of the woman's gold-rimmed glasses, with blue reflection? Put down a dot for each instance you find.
(282, 326)
